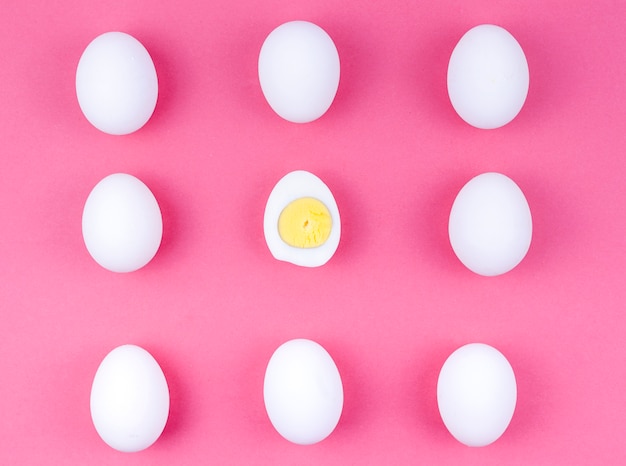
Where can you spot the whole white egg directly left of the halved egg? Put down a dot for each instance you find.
(122, 223)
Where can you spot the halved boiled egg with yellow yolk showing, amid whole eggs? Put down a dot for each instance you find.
(291, 189)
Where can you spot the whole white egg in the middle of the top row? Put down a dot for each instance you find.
(299, 71)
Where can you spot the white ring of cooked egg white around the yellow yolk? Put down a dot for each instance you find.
(295, 185)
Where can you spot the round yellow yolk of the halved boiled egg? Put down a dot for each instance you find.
(305, 223)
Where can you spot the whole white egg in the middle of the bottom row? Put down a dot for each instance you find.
(303, 392)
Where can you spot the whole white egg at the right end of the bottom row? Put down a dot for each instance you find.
(476, 394)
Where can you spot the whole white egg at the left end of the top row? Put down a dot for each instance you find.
(116, 83)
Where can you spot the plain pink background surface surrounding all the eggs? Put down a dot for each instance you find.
(393, 302)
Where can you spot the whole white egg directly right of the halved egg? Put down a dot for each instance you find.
(490, 226)
